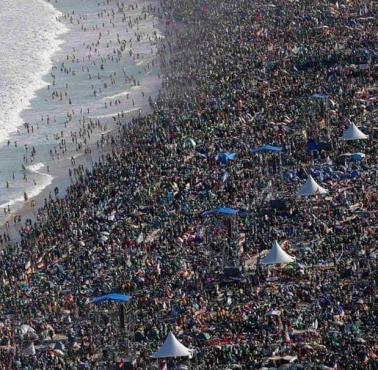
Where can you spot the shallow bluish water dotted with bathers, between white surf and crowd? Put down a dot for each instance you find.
(102, 73)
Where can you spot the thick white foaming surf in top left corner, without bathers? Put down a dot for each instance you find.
(29, 36)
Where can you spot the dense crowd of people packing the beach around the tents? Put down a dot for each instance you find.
(236, 75)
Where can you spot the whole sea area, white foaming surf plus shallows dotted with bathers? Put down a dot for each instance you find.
(63, 64)
